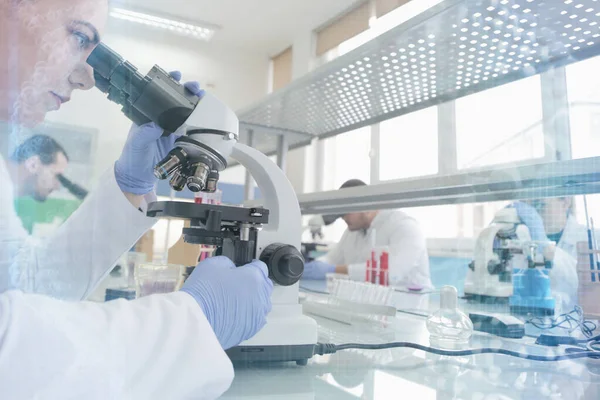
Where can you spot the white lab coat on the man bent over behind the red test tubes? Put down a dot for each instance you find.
(409, 261)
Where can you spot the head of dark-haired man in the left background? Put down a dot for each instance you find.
(35, 165)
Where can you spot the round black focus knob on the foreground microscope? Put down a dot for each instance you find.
(285, 263)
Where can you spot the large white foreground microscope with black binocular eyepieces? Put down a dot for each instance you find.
(207, 133)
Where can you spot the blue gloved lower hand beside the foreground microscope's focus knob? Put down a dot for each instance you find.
(236, 301)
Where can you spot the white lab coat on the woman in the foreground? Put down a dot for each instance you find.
(159, 347)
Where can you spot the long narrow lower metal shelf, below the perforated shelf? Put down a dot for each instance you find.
(561, 178)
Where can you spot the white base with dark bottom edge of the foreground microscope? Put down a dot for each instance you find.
(288, 336)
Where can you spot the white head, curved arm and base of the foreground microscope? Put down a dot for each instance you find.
(288, 335)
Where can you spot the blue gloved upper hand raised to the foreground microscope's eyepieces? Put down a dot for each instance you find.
(144, 148)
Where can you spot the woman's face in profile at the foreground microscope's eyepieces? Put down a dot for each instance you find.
(44, 56)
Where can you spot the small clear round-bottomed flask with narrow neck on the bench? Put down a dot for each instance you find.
(449, 328)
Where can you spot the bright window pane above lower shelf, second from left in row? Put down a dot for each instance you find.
(409, 145)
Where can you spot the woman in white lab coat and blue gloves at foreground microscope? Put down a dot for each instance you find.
(54, 346)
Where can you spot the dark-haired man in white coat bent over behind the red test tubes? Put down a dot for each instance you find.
(401, 234)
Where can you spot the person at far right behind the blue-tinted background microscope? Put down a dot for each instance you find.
(553, 219)
